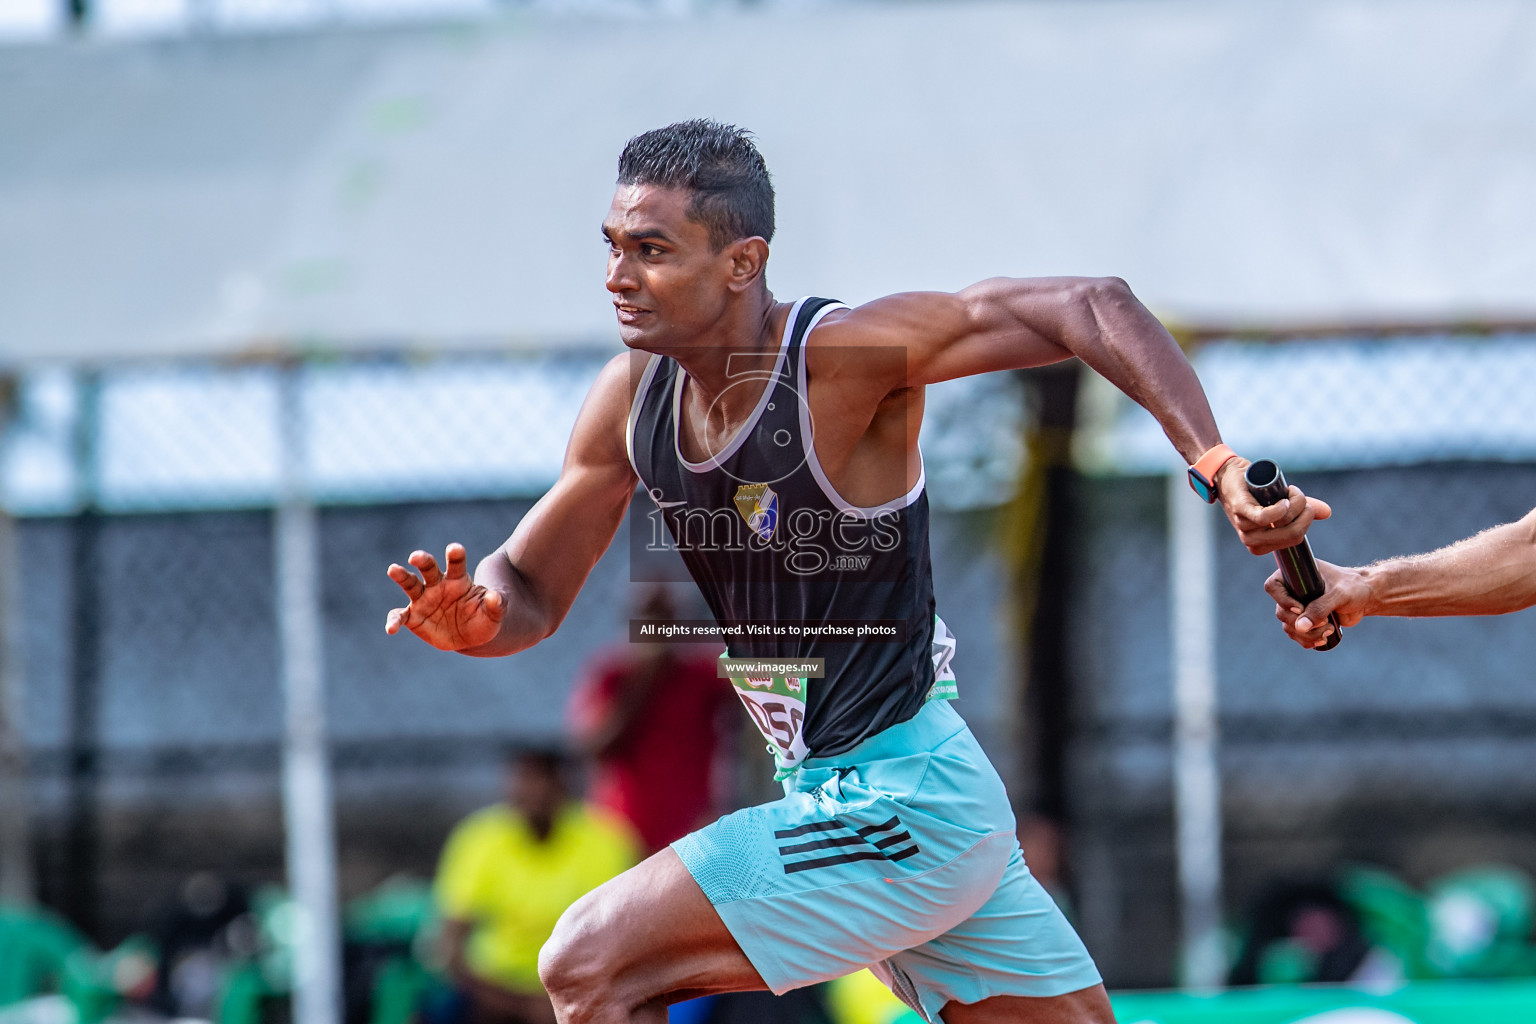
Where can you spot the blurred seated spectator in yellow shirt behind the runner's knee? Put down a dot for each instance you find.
(509, 873)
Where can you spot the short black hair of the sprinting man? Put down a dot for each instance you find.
(718, 164)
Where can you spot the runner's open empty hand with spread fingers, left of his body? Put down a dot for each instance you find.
(448, 610)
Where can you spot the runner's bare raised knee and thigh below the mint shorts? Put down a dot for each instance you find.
(644, 936)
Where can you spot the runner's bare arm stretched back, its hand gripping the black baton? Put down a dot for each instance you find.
(1018, 323)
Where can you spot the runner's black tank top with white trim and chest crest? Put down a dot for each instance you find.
(772, 544)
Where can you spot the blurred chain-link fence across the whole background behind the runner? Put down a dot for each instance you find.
(150, 652)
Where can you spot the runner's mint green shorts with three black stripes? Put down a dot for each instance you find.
(899, 856)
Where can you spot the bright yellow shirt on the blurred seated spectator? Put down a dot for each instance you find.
(497, 876)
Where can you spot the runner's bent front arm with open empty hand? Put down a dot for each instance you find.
(525, 589)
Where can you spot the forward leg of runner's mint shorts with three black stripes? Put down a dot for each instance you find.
(844, 873)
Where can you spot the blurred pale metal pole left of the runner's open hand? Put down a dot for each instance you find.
(306, 770)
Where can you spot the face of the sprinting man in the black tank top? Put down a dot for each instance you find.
(667, 282)
